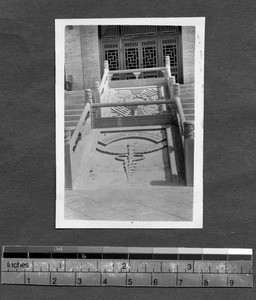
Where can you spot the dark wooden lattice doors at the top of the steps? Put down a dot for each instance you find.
(132, 52)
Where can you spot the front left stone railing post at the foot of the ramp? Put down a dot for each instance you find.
(68, 160)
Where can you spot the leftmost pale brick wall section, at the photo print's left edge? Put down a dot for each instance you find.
(73, 57)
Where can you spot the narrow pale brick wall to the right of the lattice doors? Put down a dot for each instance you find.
(188, 43)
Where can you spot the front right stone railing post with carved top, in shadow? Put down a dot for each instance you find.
(189, 152)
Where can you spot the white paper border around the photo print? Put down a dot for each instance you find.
(199, 24)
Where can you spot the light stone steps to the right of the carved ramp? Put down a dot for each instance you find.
(187, 97)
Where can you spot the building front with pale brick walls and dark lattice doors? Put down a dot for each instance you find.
(127, 47)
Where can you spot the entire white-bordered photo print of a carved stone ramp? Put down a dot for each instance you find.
(129, 115)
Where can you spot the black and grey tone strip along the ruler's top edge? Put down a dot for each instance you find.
(108, 253)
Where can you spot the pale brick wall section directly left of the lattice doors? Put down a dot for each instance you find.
(90, 55)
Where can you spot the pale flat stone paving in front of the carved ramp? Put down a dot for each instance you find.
(156, 203)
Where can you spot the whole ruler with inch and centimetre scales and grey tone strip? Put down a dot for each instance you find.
(133, 266)
